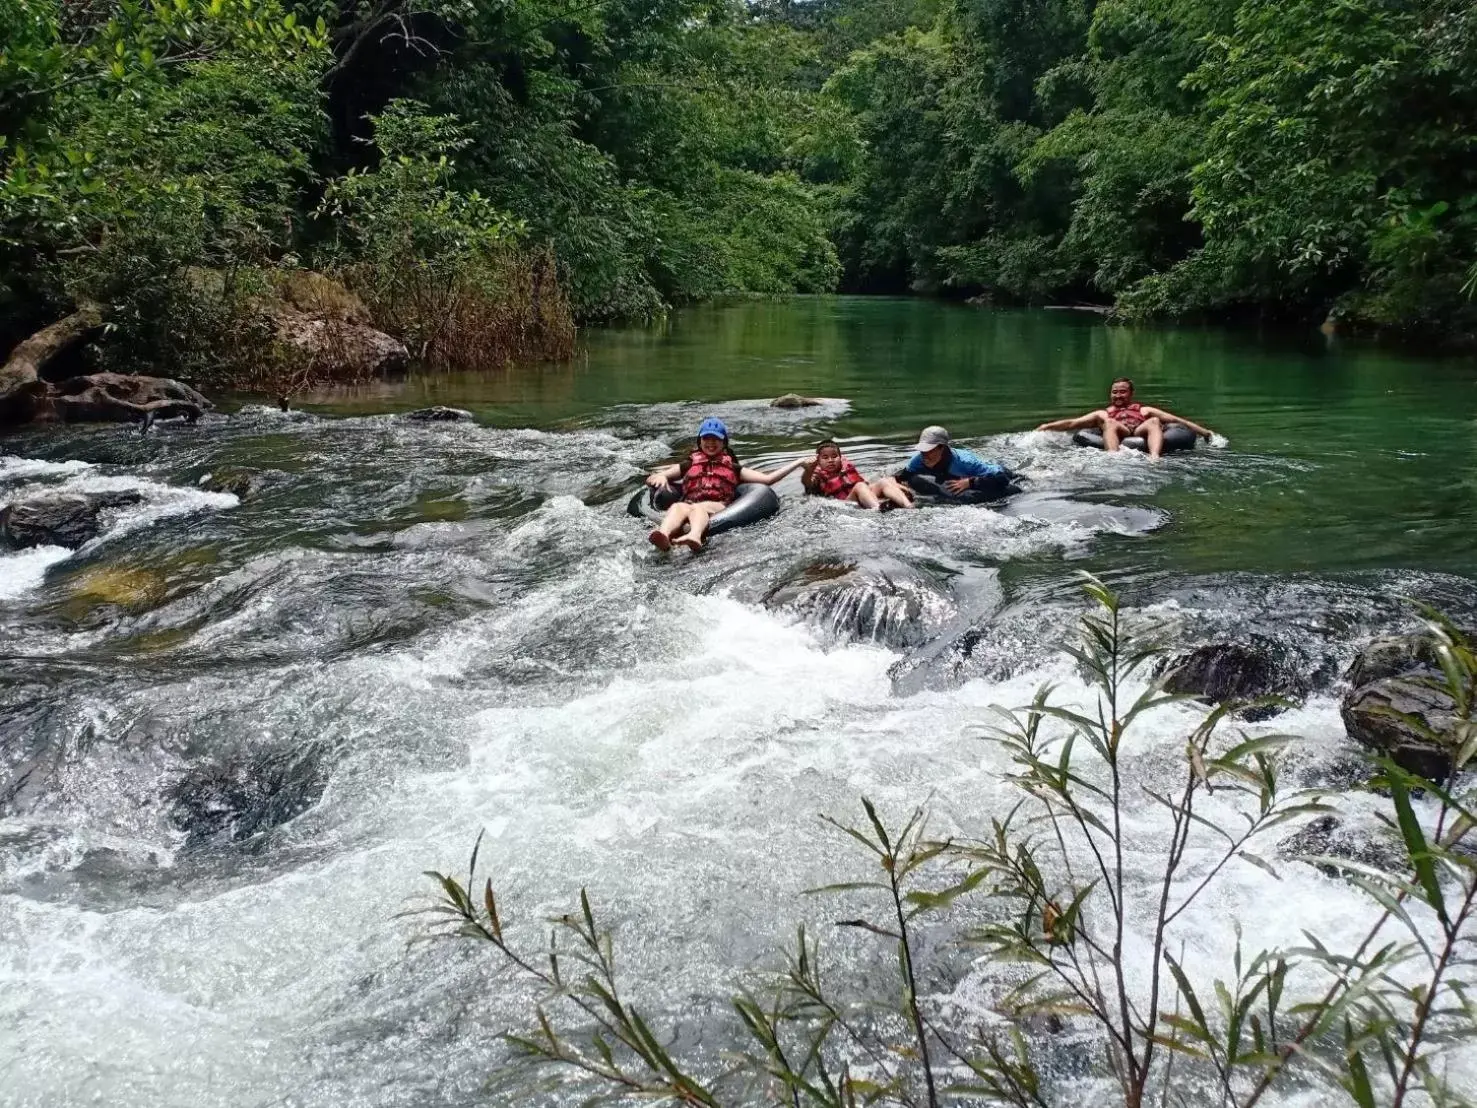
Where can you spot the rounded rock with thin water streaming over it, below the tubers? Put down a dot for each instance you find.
(878, 601)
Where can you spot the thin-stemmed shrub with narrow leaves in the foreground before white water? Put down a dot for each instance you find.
(1082, 939)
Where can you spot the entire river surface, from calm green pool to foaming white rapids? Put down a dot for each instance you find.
(236, 733)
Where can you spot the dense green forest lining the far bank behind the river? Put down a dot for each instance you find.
(473, 162)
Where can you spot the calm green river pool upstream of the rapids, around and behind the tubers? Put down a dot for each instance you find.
(1342, 456)
